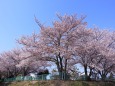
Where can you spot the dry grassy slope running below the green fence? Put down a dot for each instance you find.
(59, 83)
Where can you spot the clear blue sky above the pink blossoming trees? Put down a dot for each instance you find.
(17, 16)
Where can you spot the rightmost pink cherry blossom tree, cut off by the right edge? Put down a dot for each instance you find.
(105, 64)
